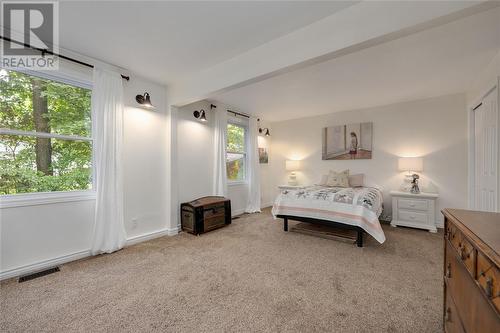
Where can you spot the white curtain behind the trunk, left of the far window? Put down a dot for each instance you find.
(220, 173)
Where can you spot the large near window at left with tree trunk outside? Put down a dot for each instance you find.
(45, 135)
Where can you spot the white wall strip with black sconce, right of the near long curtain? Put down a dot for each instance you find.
(146, 165)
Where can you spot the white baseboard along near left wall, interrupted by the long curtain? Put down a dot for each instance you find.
(49, 263)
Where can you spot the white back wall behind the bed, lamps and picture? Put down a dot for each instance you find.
(433, 128)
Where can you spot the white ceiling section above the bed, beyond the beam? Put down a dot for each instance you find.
(439, 61)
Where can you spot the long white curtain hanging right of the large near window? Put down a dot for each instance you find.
(107, 119)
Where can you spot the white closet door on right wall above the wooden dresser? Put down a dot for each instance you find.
(486, 153)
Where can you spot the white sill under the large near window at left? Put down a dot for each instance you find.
(44, 198)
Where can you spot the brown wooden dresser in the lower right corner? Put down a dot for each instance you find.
(471, 271)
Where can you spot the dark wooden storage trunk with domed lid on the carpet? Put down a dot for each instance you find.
(205, 214)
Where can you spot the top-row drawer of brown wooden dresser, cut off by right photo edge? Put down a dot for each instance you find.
(488, 276)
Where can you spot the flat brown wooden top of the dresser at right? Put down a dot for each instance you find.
(483, 225)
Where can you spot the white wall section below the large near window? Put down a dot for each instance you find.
(33, 235)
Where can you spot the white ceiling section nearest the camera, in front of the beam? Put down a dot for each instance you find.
(167, 40)
